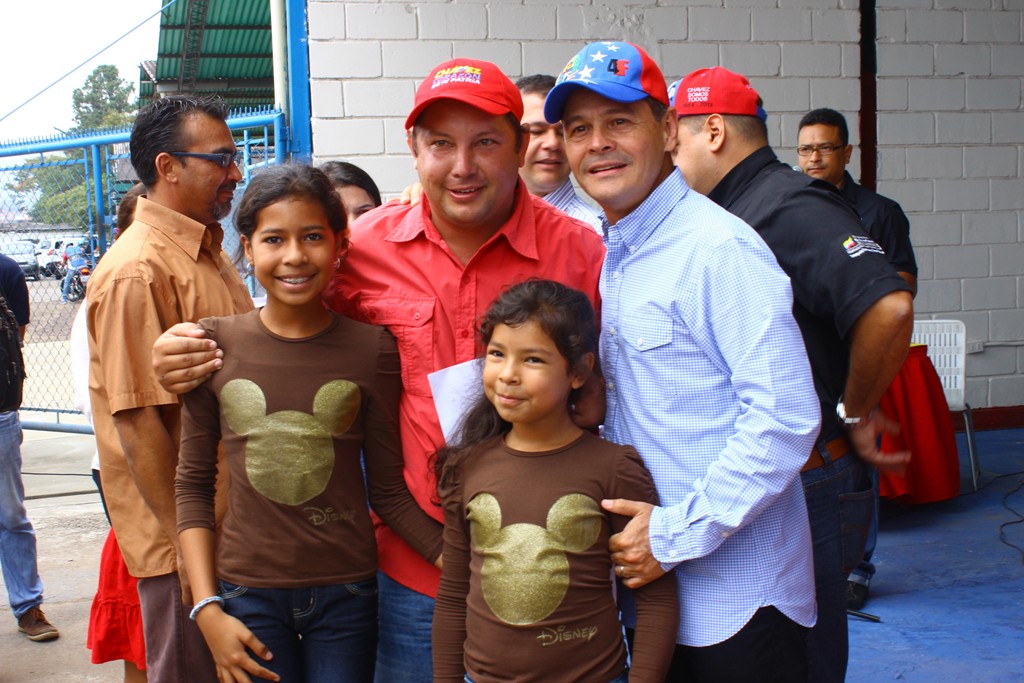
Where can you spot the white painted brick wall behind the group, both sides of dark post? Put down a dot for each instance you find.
(951, 120)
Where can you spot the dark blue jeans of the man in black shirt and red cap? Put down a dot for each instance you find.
(839, 504)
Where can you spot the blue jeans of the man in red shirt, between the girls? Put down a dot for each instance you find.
(404, 653)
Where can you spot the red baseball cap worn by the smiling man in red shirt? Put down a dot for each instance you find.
(478, 83)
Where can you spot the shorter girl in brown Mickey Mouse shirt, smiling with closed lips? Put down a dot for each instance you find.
(527, 585)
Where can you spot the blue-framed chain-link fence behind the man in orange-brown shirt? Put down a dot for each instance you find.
(63, 191)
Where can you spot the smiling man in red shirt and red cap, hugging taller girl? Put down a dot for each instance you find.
(429, 273)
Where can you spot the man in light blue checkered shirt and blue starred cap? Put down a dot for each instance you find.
(706, 375)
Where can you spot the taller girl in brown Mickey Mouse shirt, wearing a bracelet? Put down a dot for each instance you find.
(290, 575)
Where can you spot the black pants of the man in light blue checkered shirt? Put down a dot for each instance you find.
(772, 649)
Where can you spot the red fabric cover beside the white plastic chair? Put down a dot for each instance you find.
(916, 401)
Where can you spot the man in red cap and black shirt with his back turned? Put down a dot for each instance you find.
(854, 310)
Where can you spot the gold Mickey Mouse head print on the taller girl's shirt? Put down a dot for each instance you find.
(290, 455)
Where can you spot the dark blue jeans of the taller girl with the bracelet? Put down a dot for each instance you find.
(322, 634)
